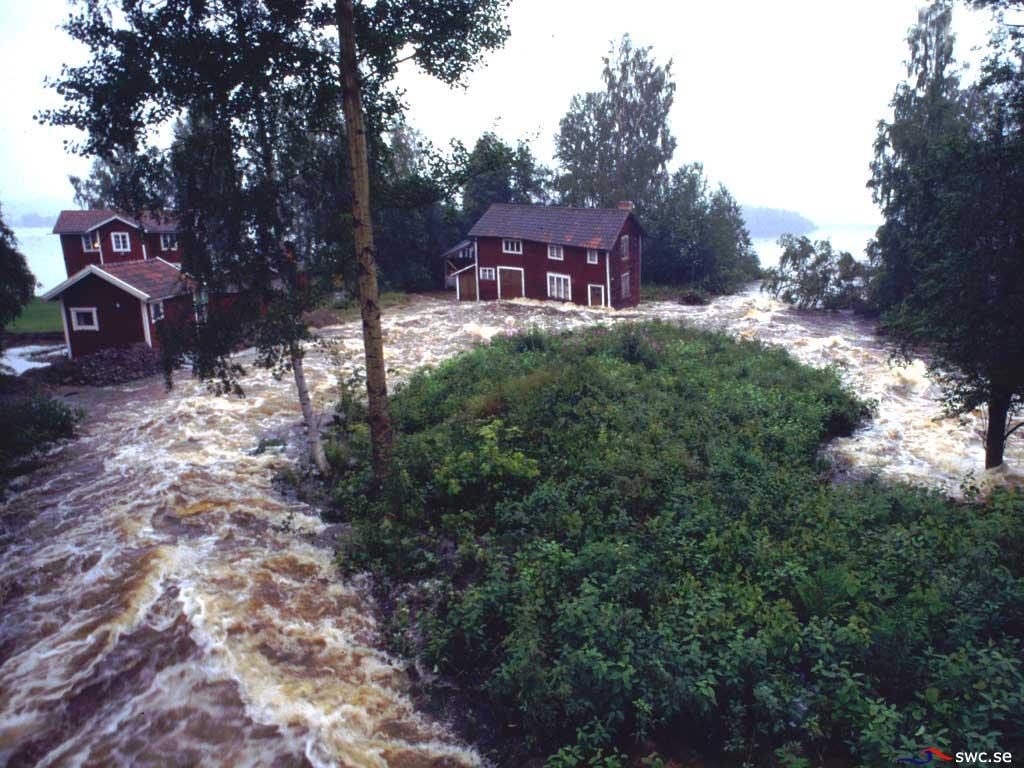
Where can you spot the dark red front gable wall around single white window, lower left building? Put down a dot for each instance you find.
(119, 316)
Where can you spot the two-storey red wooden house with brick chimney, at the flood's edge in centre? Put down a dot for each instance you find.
(589, 257)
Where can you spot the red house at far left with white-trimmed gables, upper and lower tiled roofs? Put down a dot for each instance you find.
(124, 278)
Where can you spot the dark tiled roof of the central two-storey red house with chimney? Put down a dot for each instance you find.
(584, 228)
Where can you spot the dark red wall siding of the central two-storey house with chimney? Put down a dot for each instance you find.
(537, 266)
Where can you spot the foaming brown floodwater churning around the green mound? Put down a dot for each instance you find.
(162, 605)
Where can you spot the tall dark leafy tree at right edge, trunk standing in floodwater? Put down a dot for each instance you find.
(950, 178)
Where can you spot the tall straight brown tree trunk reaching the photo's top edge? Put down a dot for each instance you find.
(373, 342)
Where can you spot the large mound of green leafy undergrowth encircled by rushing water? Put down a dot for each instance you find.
(623, 542)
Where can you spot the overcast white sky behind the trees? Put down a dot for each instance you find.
(780, 101)
